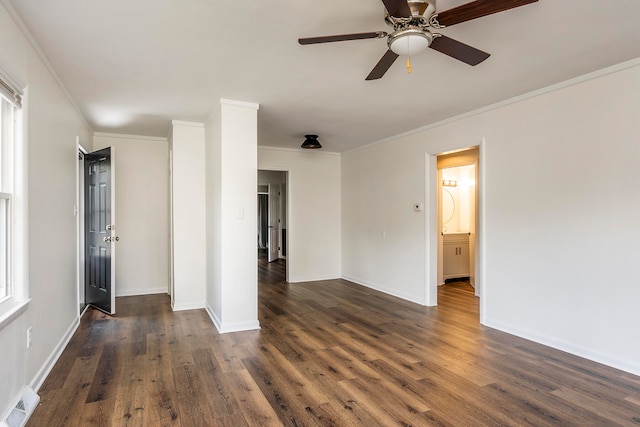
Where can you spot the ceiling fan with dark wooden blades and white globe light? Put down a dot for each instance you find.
(411, 21)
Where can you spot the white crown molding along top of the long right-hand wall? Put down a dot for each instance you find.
(539, 92)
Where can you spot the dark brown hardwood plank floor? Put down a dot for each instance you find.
(329, 353)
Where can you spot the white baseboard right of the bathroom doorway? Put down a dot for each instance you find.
(630, 366)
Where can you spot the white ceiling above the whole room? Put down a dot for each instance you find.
(133, 66)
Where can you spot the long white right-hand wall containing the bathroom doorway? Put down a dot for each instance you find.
(561, 211)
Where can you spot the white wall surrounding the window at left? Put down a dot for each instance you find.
(52, 127)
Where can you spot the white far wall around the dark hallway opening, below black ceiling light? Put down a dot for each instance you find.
(313, 221)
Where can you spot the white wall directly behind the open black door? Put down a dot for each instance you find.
(142, 216)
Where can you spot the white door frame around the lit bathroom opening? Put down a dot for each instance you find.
(432, 232)
